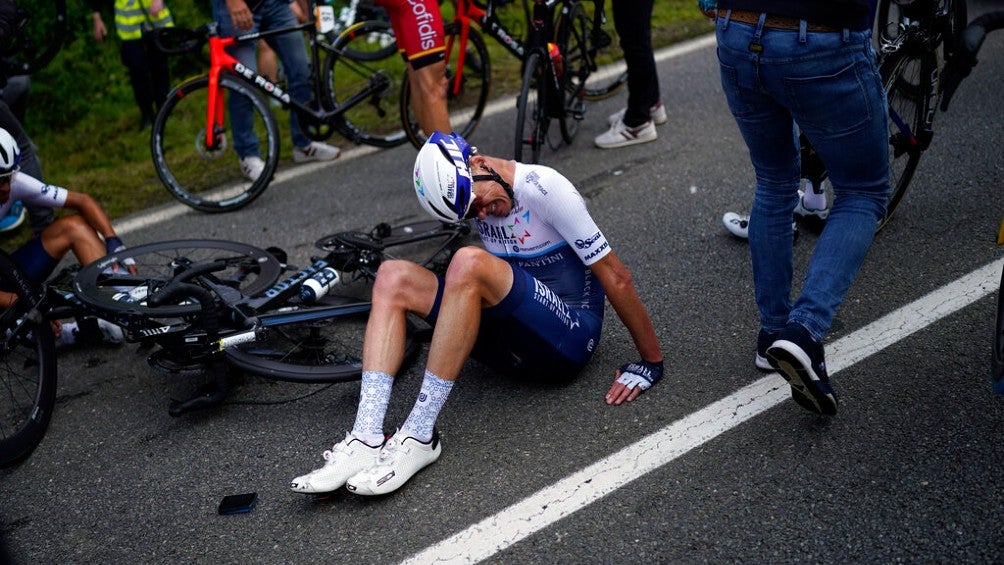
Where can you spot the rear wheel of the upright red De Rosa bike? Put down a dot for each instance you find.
(365, 53)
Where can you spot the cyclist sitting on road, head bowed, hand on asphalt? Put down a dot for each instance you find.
(532, 307)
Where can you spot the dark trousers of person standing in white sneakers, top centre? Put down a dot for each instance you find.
(633, 21)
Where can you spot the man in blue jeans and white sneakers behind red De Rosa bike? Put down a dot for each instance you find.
(243, 17)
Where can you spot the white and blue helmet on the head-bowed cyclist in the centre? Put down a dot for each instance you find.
(443, 178)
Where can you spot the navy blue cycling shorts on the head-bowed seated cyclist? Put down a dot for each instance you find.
(533, 335)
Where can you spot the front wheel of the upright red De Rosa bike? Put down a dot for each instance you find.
(209, 177)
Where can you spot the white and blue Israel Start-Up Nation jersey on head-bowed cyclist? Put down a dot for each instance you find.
(551, 234)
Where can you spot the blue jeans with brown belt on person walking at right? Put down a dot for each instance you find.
(827, 85)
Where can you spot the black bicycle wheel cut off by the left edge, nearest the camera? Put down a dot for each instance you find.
(28, 368)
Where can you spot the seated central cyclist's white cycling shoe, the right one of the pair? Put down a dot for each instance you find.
(399, 461)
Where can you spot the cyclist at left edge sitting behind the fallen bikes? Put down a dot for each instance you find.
(79, 233)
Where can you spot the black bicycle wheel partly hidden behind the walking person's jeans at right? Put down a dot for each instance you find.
(906, 93)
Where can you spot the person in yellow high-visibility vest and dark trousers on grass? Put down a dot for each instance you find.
(148, 68)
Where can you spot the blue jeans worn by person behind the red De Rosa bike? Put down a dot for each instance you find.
(273, 15)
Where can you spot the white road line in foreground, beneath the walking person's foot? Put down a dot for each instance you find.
(498, 532)
